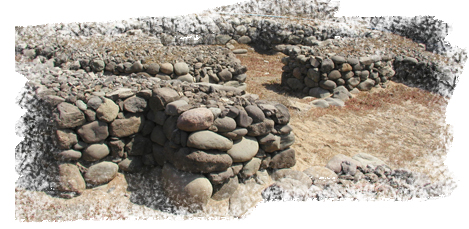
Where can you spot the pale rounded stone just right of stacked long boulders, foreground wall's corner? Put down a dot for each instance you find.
(244, 150)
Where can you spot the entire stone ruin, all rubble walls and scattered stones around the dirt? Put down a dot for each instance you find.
(188, 119)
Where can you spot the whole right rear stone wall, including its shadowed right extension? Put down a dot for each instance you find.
(319, 76)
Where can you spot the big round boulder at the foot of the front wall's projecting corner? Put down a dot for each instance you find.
(186, 190)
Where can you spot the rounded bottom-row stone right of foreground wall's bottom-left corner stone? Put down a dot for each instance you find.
(101, 173)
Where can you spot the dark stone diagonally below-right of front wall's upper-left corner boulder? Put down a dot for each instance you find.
(94, 132)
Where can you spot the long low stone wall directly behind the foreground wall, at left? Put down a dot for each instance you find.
(192, 64)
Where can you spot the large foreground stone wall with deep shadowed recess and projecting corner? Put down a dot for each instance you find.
(206, 137)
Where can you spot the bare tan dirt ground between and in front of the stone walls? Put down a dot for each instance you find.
(405, 127)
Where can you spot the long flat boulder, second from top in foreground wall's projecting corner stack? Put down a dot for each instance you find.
(208, 140)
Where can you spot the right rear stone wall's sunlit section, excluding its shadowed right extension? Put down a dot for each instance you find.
(318, 76)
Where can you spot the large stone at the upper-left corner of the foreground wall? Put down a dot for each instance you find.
(69, 116)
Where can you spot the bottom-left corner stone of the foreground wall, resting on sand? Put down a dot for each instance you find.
(71, 179)
